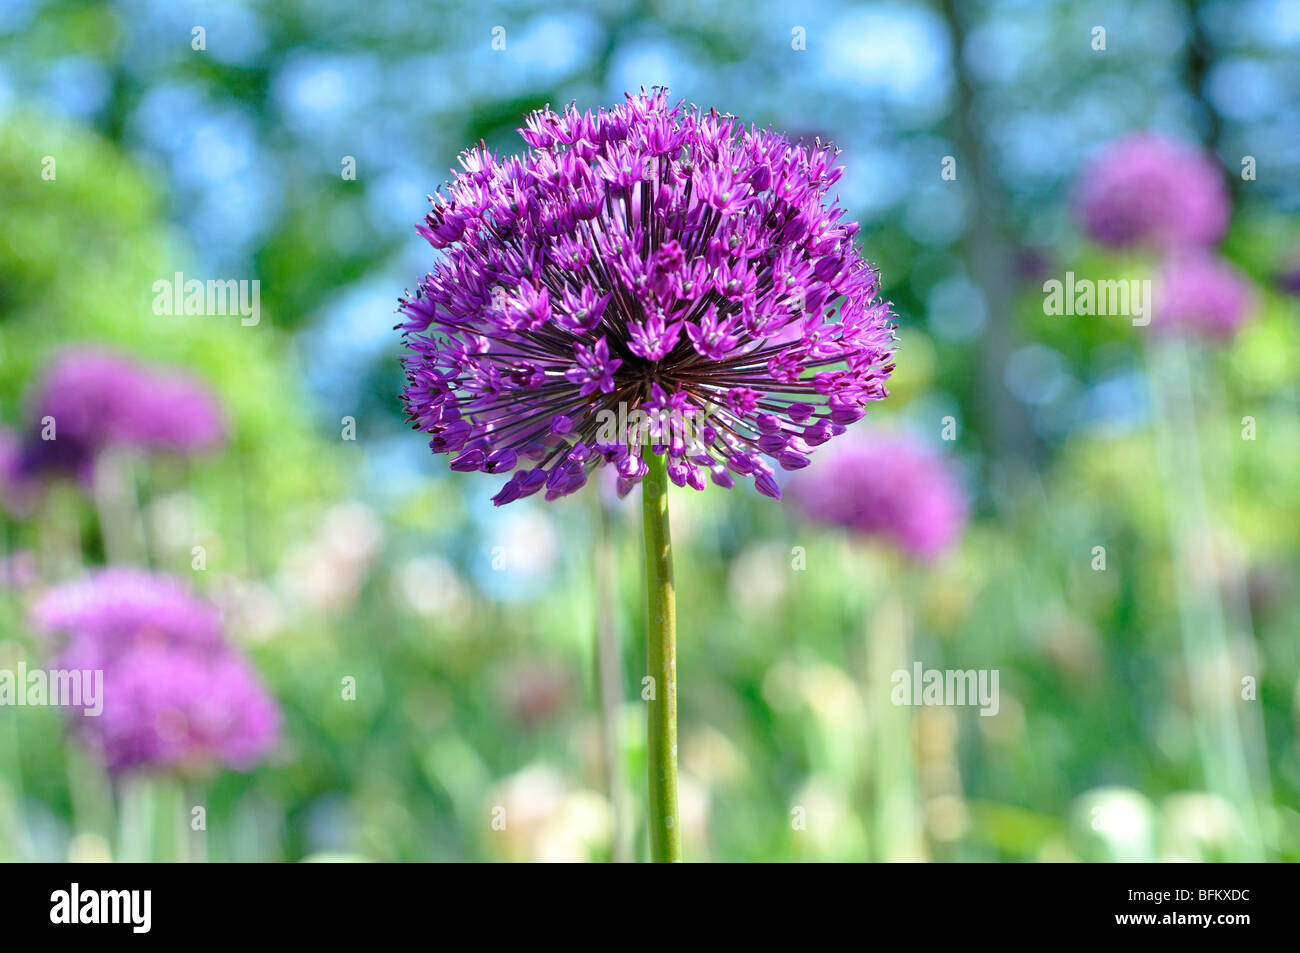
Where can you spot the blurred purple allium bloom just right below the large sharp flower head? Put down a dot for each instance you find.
(889, 486)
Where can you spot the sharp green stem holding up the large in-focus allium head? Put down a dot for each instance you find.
(661, 665)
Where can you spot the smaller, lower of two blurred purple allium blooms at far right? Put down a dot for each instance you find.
(1202, 294)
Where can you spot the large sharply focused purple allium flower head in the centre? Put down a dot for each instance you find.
(647, 261)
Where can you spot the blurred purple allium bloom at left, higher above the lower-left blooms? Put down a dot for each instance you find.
(101, 400)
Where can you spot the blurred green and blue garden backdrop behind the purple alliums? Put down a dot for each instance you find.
(473, 633)
